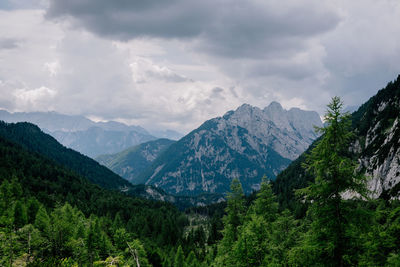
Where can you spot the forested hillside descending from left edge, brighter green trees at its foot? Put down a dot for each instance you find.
(50, 214)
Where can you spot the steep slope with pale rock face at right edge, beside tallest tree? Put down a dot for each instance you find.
(377, 126)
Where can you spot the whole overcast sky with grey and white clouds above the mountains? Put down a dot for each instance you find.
(172, 64)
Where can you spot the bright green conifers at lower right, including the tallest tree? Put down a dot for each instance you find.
(335, 231)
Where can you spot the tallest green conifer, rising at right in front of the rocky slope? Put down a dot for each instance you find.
(334, 171)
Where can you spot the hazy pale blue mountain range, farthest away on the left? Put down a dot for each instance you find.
(86, 136)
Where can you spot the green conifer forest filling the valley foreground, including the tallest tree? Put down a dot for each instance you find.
(53, 216)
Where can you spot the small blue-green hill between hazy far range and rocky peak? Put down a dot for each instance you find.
(132, 161)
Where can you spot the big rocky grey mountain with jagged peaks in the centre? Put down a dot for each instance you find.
(246, 143)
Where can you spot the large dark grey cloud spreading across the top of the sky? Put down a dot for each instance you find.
(226, 28)
